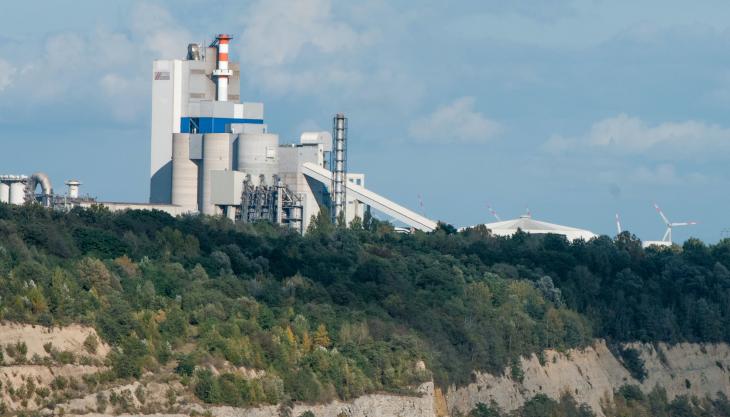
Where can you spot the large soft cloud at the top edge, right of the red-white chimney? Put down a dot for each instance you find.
(297, 47)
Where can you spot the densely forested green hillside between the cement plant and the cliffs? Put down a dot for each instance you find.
(341, 312)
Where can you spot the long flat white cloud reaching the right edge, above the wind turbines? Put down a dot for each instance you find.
(624, 134)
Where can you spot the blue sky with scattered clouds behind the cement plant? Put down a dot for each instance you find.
(577, 110)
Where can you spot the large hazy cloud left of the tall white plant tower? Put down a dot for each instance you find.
(99, 70)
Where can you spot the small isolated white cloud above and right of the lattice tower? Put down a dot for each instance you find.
(456, 122)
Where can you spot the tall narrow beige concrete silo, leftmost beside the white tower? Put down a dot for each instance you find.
(184, 173)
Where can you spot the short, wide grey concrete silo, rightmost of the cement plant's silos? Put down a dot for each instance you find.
(258, 156)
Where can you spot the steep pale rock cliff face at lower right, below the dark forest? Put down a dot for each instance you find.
(594, 373)
